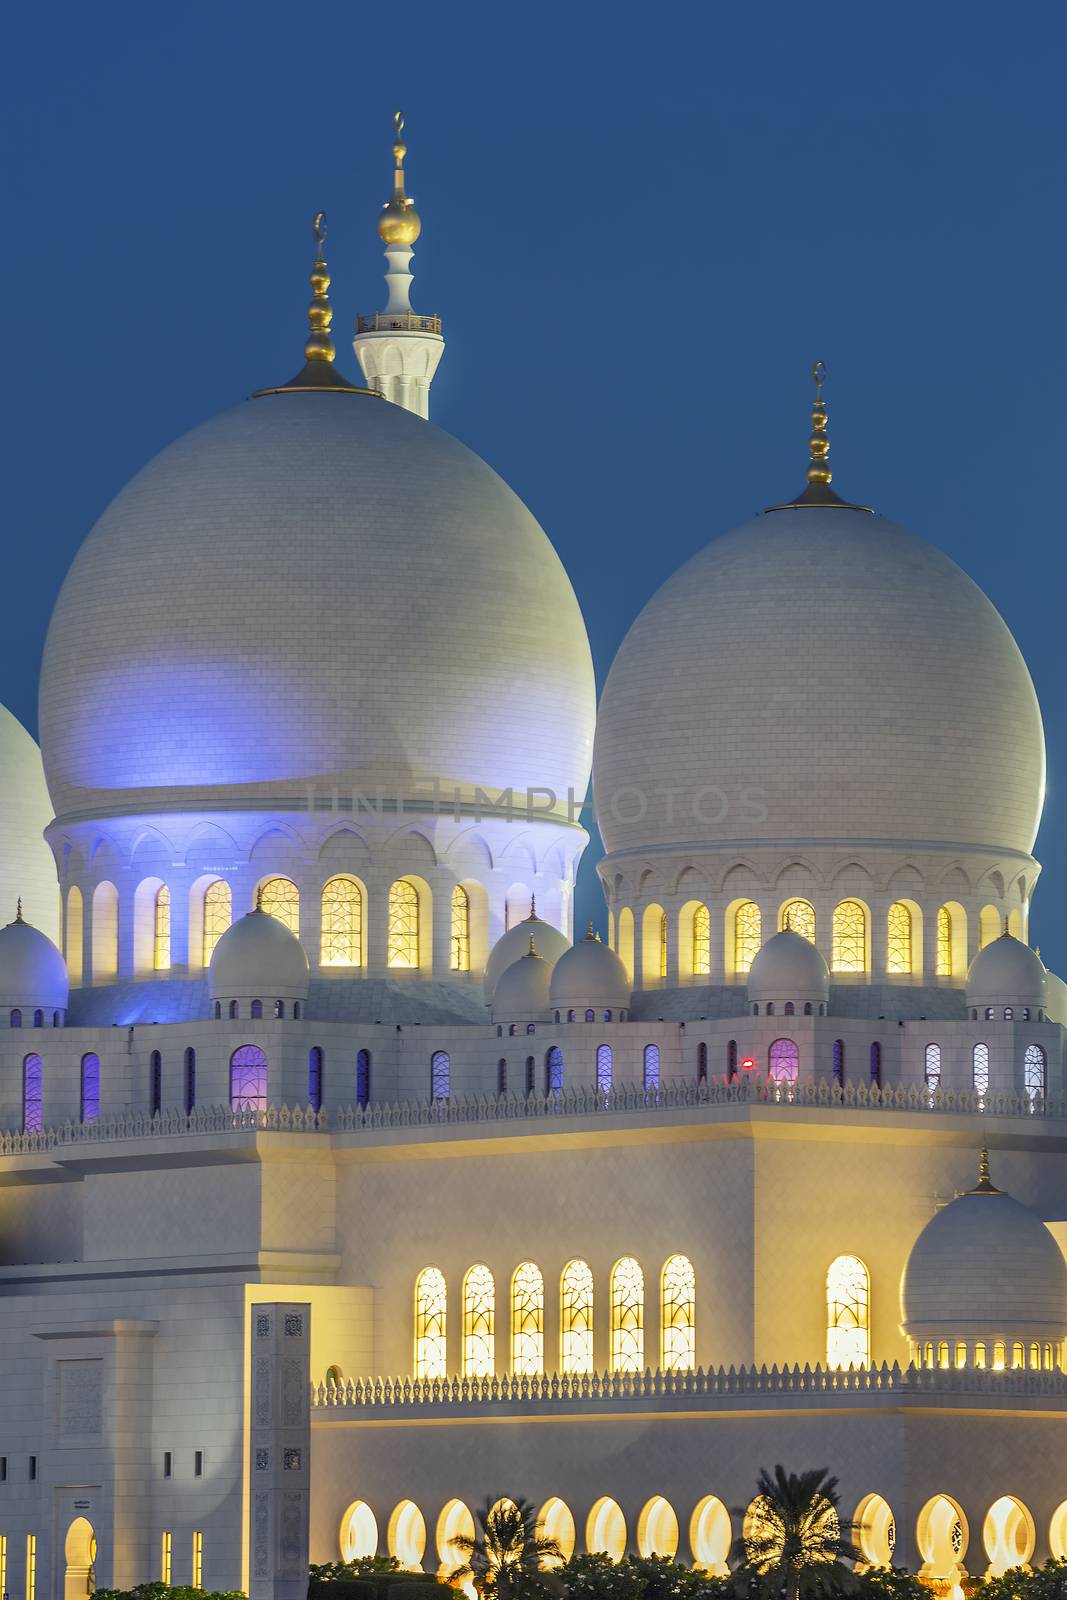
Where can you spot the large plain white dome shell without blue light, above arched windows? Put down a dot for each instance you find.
(820, 676)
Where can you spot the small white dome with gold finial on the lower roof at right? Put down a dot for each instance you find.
(985, 1268)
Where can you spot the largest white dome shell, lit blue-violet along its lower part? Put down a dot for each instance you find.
(314, 591)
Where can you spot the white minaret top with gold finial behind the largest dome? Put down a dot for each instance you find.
(398, 348)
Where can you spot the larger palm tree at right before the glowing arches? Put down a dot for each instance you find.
(797, 1543)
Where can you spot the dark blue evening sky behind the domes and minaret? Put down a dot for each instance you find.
(641, 225)
